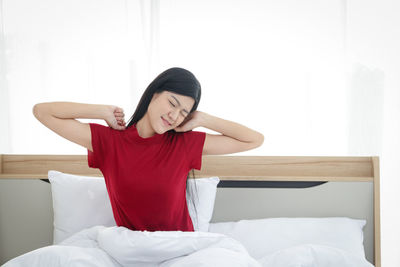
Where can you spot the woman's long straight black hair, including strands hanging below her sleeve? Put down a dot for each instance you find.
(177, 80)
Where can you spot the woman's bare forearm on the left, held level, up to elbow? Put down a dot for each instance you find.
(71, 110)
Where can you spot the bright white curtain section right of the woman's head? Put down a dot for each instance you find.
(276, 66)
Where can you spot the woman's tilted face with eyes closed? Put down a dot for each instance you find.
(168, 110)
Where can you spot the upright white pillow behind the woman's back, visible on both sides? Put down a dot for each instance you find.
(81, 202)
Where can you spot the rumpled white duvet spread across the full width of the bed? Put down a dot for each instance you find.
(119, 246)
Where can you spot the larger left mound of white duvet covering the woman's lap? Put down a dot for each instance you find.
(119, 246)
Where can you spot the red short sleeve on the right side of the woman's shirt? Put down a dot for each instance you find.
(194, 142)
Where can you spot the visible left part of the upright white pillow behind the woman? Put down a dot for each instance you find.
(78, 202)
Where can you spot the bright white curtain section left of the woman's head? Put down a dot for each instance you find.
(81, 51)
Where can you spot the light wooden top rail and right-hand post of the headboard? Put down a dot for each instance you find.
(233, 170)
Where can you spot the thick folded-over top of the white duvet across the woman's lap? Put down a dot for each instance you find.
(132, 248)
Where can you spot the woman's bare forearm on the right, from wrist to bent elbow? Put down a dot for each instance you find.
(231, 129)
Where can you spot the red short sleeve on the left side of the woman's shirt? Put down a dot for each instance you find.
(101, 144)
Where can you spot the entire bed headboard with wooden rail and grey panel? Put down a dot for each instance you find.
(251, 187)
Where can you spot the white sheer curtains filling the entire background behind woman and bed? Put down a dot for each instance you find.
(315, 77)
